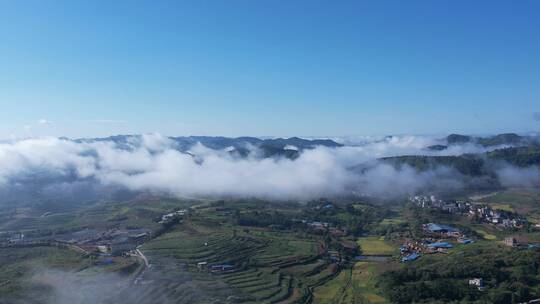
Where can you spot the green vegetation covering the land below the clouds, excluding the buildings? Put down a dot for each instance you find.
(280, 252)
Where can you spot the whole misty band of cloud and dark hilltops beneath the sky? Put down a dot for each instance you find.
(291, 168)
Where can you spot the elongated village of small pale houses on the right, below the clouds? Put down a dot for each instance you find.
(482, 211)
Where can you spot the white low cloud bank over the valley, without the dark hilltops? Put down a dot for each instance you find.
(154, 163)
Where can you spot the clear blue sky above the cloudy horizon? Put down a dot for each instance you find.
(283, 68)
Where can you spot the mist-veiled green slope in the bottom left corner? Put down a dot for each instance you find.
(43, 274)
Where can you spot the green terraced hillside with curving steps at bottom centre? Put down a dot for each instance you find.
(269, 267)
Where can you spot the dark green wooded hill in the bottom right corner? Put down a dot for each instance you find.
(510, 276)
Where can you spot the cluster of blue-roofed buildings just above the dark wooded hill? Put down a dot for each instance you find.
(433, 242)
